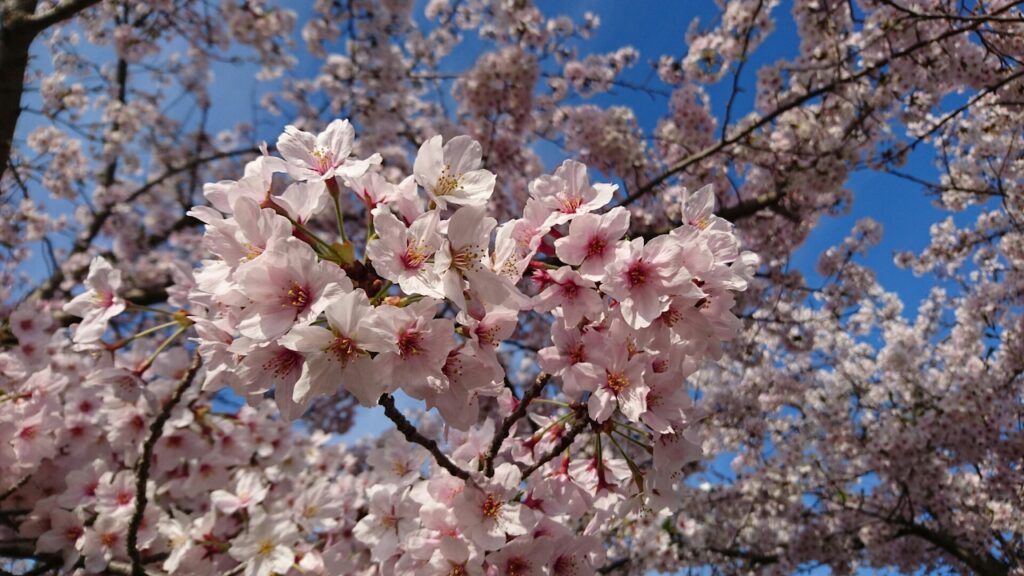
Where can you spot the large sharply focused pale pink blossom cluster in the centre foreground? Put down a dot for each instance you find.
(437, 290)
